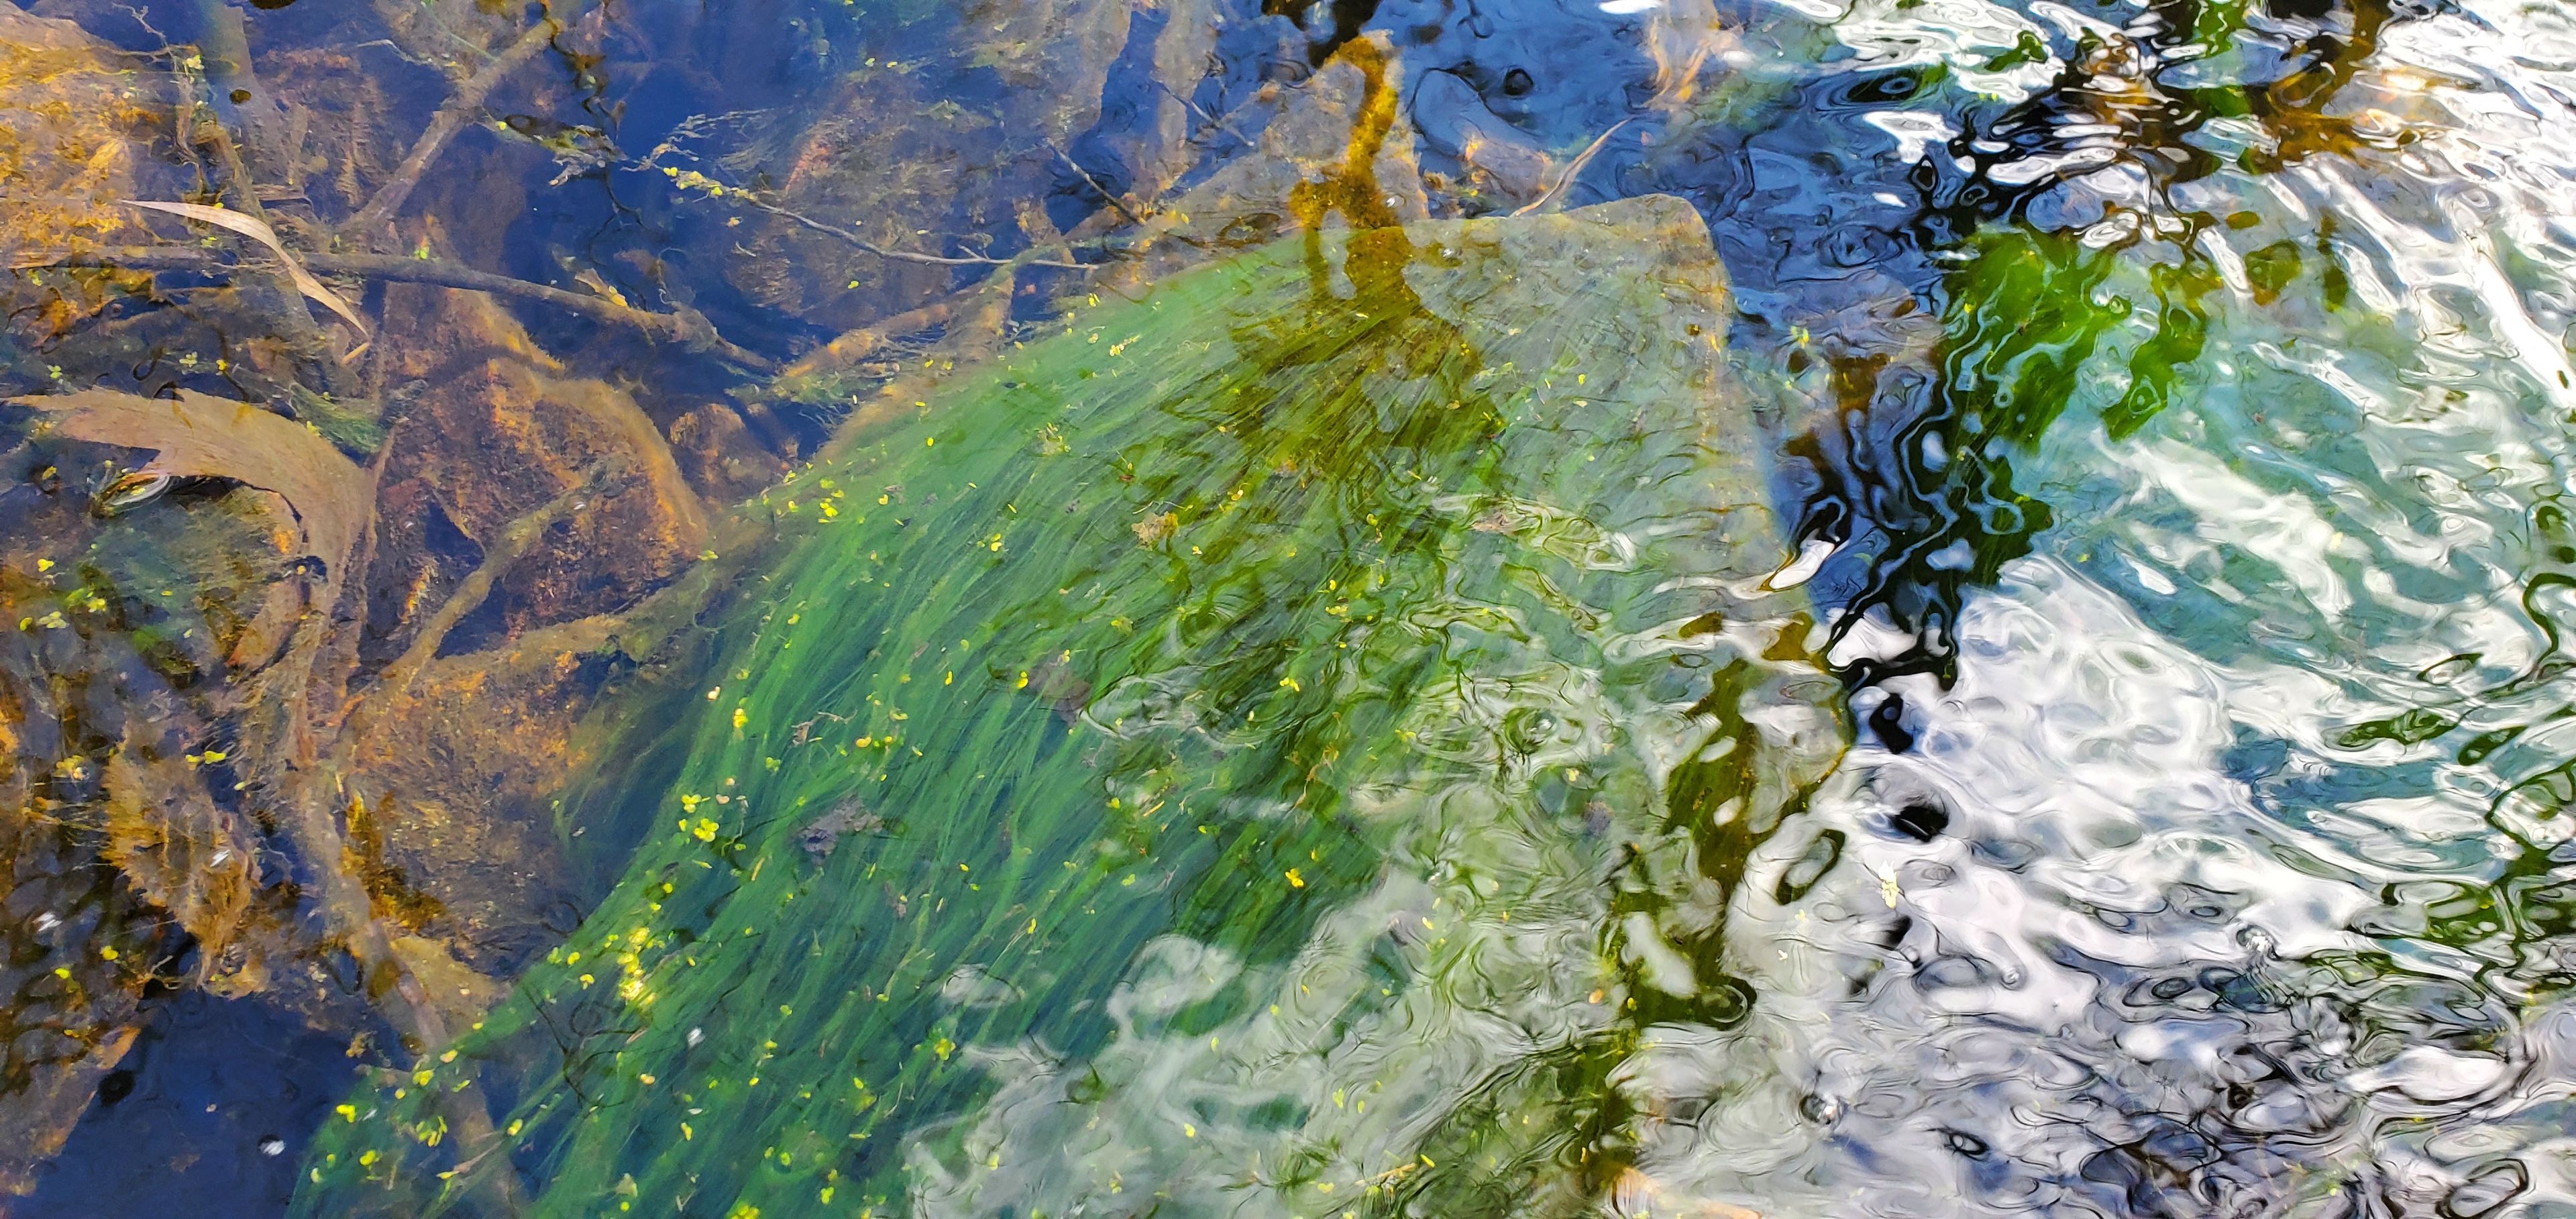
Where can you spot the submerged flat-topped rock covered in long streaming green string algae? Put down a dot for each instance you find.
(1184, 767)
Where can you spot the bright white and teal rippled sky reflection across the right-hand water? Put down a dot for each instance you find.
(2196, 893)
